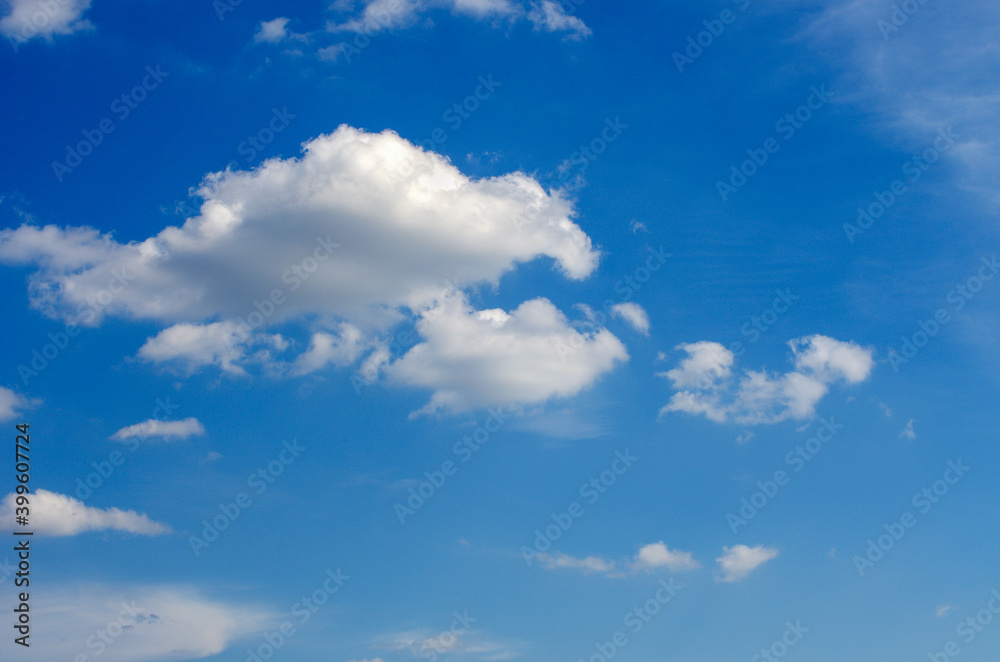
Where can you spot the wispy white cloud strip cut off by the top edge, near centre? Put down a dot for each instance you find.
(547, 16)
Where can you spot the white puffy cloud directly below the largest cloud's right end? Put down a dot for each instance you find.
(485, 358)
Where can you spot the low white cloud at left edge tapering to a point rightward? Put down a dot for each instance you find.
(54, 514)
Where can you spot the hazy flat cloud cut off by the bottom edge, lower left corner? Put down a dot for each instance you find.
(152, 623)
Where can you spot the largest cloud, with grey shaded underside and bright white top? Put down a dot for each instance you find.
(361, 224)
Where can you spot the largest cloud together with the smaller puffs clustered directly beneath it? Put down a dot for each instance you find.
(363, 231)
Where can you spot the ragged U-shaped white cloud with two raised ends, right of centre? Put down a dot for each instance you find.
(706, 385)
